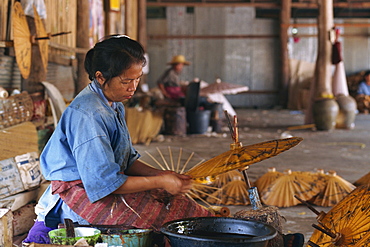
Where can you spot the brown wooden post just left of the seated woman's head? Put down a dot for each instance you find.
(82, 41)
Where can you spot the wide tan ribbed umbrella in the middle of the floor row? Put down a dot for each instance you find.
(281, 192)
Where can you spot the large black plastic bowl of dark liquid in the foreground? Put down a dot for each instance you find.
(217, 231)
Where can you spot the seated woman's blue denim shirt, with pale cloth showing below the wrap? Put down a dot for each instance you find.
(91, 143)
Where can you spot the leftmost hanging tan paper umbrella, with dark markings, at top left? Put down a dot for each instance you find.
(22, 40)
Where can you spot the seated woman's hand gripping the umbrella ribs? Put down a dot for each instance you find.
(175, 184)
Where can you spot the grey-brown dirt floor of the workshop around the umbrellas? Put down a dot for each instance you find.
(345, 151)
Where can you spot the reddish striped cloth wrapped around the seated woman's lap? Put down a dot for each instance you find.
(149, 209)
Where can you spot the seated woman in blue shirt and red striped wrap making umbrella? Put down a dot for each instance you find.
(95, 174)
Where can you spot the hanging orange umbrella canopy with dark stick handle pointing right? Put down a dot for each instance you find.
(43, 43)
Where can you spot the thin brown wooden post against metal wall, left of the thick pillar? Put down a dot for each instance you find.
(285, 14)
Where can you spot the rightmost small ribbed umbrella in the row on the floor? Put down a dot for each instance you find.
(335, 190)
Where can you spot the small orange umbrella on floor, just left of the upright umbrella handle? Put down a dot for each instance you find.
(233, 193)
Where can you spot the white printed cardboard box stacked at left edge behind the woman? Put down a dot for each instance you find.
(19, 174)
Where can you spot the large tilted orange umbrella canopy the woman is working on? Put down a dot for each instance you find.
(239, 157)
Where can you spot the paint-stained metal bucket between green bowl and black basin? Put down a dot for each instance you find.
(129, 238)
